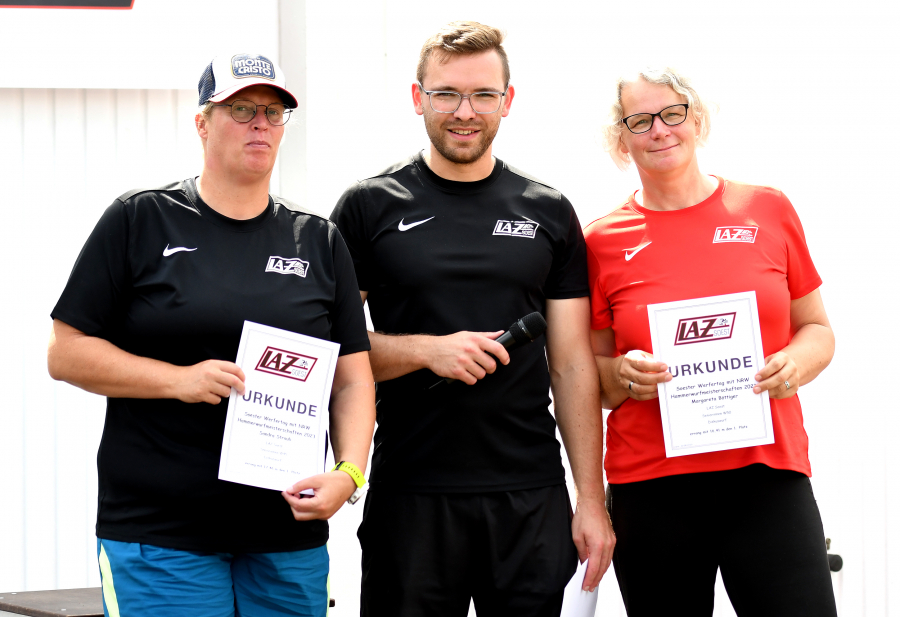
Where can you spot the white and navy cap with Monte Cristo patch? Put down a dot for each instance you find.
(228, 75)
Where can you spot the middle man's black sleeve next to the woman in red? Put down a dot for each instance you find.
(568, 276)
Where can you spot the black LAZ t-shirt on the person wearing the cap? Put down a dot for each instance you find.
(165, 276)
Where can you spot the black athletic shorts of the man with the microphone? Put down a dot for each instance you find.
(426, 555)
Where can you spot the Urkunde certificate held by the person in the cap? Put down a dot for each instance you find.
(276, 433)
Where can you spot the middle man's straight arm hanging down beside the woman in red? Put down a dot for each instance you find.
(576, 400)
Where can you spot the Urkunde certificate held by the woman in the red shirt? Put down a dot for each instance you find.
(713, 349)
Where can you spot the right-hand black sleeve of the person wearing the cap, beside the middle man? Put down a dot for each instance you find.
(348, 321)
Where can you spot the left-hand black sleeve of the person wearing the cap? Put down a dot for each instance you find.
(96, 295)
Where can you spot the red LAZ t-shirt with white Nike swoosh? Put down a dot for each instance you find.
(742, 238)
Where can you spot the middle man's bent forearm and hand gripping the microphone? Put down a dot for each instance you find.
(463, 355)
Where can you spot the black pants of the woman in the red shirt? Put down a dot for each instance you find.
(760, 526)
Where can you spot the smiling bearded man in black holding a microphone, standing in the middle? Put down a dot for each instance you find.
(468, 496)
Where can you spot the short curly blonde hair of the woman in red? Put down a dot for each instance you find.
(612, 130)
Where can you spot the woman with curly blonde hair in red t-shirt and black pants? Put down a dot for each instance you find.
(683, 235)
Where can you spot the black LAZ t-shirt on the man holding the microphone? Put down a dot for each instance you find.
(437, 257)
